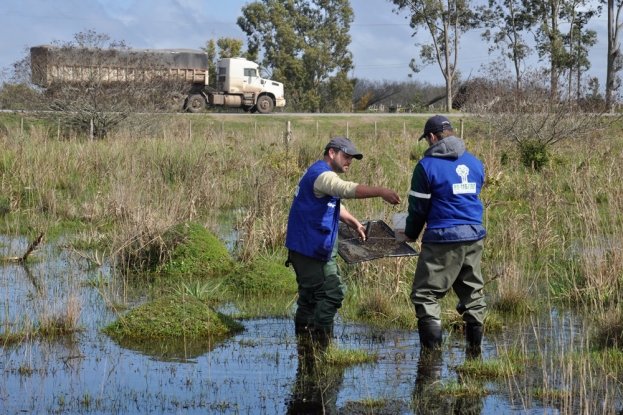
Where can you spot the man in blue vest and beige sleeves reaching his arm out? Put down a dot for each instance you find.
(311, 237)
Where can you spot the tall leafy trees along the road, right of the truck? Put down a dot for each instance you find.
(304, 43)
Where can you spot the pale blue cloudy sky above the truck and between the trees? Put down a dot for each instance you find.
(382, 42)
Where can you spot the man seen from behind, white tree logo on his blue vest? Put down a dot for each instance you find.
(444, 196)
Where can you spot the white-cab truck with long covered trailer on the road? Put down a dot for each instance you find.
(238, 82)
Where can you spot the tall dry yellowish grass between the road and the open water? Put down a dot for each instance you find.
(554, 232)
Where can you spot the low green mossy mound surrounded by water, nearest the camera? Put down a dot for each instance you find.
(173, 316)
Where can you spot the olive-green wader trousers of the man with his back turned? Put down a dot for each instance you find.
(451, 265)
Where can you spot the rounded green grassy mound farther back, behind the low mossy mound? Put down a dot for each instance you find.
(194, 251)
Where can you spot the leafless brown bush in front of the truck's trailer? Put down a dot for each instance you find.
(93, 83)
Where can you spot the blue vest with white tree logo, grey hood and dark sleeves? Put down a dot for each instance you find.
(444, 195)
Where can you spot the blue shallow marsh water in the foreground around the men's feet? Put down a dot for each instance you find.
(257, 371)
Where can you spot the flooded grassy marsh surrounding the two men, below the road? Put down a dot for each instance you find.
(161, 286)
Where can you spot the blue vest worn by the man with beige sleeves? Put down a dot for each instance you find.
(313, 222)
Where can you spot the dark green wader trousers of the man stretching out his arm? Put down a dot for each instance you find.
(321, 290)
